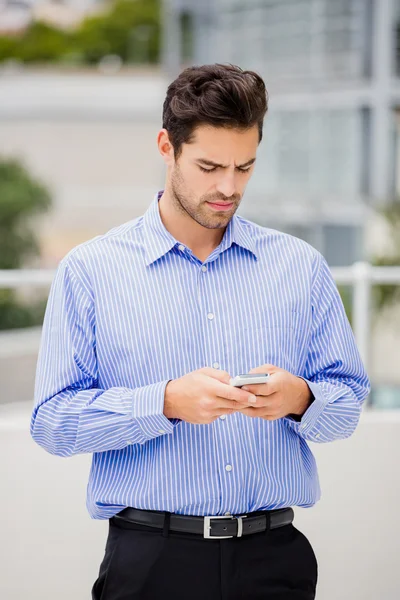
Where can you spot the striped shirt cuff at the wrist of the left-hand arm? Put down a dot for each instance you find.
(148, 410)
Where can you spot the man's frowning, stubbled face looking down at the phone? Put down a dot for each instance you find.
(213, 168)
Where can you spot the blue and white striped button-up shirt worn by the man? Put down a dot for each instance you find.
(134, 308)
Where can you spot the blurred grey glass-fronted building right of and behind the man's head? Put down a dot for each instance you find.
(331, 149)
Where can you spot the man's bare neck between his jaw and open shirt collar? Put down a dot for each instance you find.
(201, 240)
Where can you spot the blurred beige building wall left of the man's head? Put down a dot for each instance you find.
(91, 137)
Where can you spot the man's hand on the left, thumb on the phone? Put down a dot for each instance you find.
(204, 395)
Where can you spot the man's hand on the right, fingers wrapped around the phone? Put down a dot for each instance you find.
(283, 395)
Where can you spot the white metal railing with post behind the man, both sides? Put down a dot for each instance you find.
(361, 276)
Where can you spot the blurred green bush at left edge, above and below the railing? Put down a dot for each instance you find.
(21, 197)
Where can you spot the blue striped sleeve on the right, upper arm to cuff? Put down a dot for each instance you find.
(333, 370)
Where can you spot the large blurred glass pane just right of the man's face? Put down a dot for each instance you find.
(312, 153)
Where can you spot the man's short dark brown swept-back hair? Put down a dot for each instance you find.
(218, 95)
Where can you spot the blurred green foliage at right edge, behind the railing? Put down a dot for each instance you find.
(388, 295)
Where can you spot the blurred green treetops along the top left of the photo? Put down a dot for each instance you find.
(130, 29)
